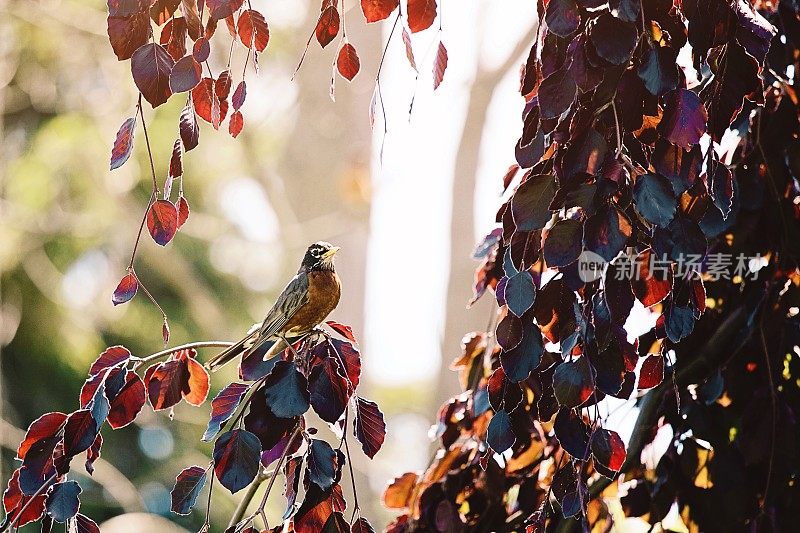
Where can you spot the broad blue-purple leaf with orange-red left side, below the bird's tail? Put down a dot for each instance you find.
(236, 459)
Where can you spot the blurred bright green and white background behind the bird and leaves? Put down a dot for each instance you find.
(303, 169)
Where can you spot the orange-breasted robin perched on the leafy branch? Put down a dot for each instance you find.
(311, 295)
